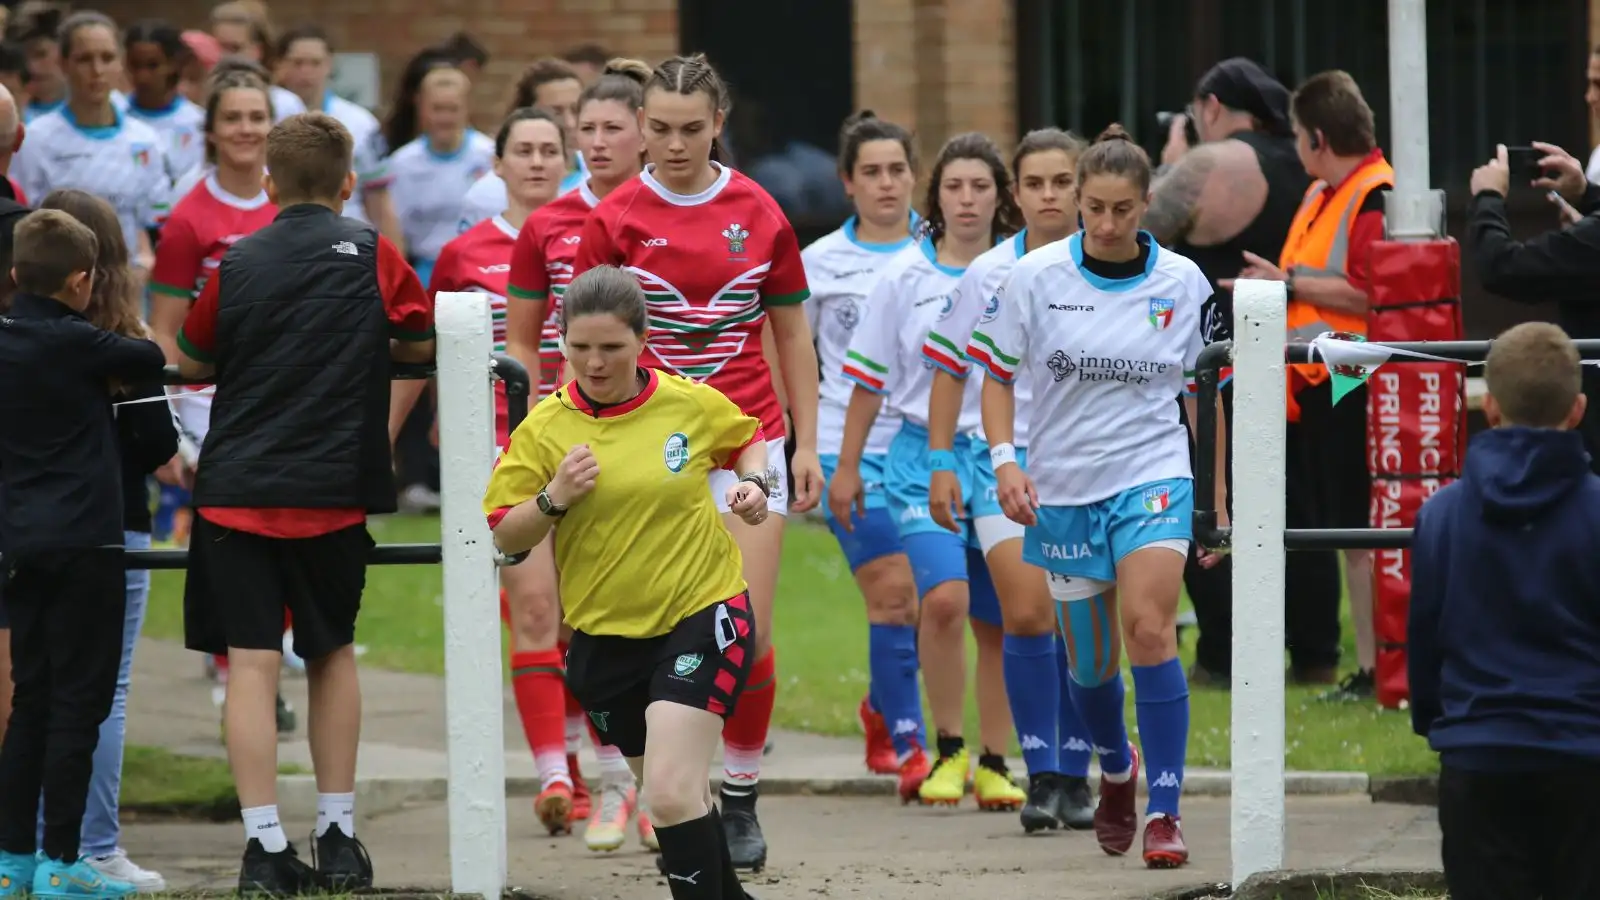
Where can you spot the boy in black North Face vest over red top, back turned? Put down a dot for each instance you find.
(300, 324)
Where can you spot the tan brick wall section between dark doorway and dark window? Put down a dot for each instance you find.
(938, 66)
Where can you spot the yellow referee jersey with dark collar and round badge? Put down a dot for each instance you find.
(647, 547)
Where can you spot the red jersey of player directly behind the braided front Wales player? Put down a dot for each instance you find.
(542, 267)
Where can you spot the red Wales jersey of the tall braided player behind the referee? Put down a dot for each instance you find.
(711, 265)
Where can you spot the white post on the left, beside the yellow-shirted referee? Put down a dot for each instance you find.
(473, 641)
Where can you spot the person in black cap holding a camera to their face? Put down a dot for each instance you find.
(1233, 195)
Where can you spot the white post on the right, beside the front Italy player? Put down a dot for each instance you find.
(1260, 327)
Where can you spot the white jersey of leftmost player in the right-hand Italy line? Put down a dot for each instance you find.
(842, 270)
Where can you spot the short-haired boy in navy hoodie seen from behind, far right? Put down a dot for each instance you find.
(1505, 637)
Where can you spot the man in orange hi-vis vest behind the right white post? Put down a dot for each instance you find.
(1324, 265)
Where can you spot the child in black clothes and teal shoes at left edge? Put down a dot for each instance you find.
(62, 526)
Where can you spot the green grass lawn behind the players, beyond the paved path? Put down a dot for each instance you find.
(823, 637)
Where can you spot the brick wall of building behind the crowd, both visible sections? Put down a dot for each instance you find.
(938, 66)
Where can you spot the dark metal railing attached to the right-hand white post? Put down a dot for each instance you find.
(1209, 374)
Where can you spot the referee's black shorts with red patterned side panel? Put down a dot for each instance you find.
(703, 664)
